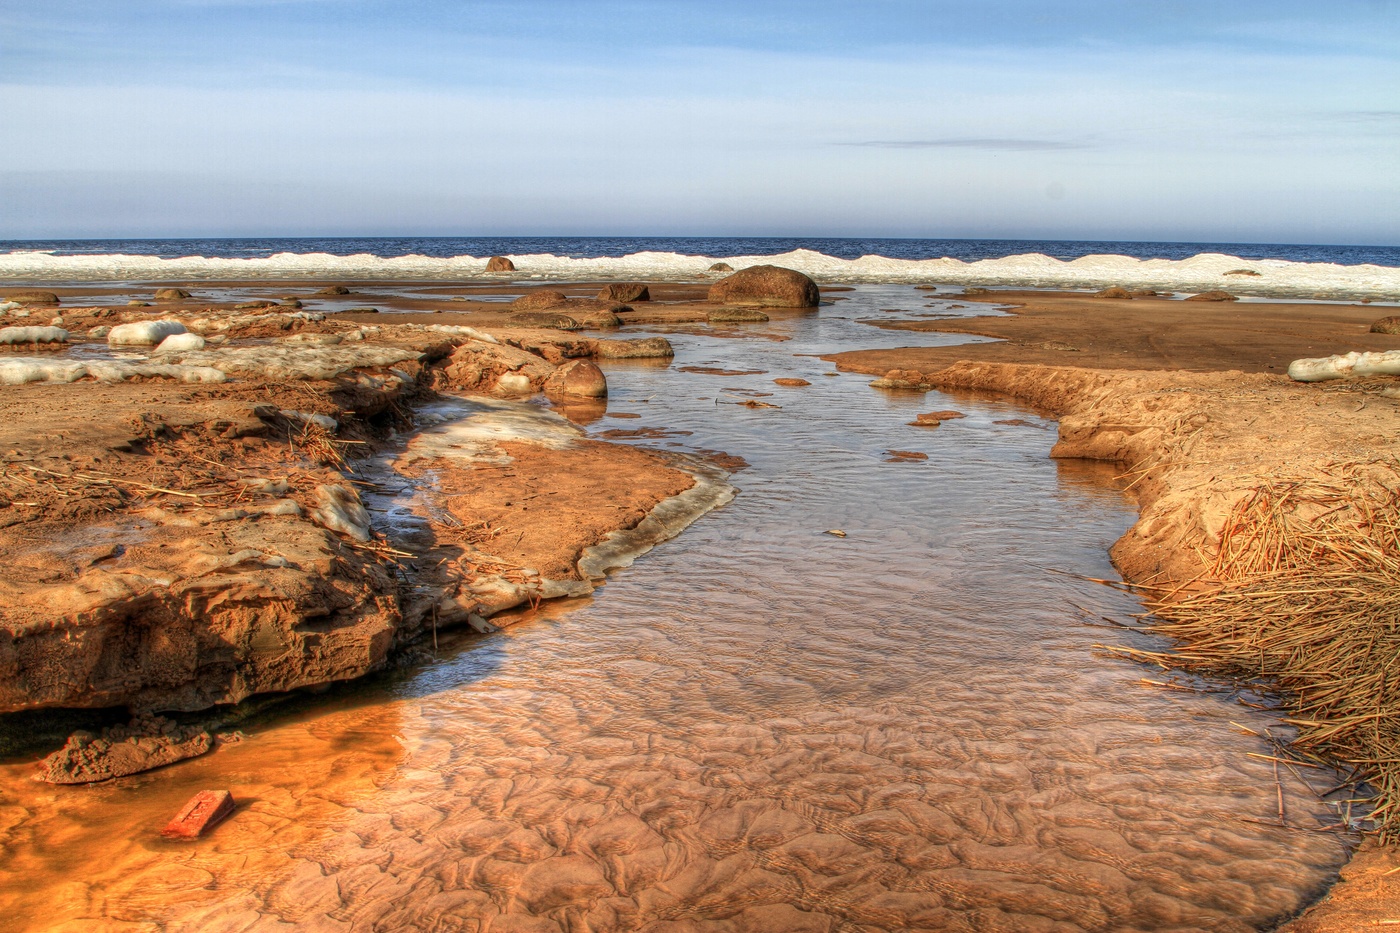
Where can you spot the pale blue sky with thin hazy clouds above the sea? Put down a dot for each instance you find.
(1104, 120)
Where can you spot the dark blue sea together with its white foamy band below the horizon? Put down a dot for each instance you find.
(1265, 271)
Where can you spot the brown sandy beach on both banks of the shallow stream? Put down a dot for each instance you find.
(240, 485)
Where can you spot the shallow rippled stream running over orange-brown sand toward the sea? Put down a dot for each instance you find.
(759, 726)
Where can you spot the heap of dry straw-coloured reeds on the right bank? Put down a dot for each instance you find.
(1307, 593)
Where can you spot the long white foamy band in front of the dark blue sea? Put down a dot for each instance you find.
(1207, 271)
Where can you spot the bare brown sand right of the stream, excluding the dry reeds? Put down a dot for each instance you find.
(1191, 396)
